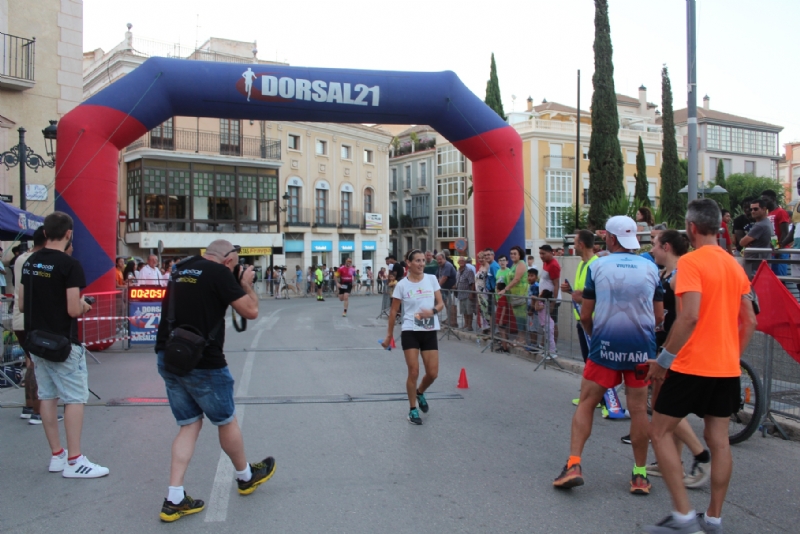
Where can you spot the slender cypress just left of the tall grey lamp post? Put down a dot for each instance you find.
(672, 205)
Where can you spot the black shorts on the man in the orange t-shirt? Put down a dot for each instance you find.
(683, 394)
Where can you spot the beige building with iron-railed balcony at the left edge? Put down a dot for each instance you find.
(40, 81)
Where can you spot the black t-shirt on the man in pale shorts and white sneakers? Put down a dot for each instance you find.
(46, 276)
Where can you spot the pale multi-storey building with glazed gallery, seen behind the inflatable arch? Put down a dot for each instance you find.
(289, 193)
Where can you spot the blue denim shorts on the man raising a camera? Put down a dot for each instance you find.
(202, 391)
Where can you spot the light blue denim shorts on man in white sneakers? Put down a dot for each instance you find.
(67, 380)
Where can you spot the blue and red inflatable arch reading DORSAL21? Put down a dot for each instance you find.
(91, 136)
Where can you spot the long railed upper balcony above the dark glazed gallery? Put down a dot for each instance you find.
(187, 140)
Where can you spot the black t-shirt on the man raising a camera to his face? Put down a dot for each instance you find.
(203, 291)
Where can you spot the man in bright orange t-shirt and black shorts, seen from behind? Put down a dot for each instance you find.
(714, 325)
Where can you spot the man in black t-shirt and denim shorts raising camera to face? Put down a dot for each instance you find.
(201, 384)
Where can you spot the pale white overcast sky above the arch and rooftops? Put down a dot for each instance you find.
(745, 55)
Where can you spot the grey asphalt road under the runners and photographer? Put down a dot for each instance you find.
(480, 463)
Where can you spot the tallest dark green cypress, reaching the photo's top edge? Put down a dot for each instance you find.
(606, 172)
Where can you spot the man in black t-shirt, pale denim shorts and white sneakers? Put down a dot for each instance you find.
(49, 296)
